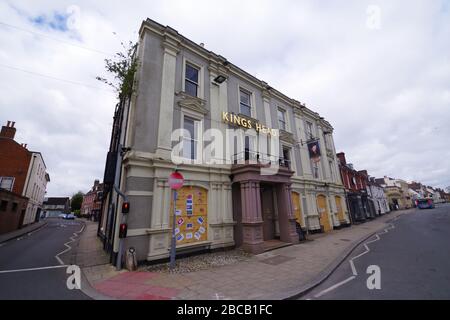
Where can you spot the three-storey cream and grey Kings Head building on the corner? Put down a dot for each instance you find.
(226, 200)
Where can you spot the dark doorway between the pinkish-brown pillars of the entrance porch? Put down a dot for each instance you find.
(268, 212)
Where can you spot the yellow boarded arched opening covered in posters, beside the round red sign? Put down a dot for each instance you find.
(191, 215)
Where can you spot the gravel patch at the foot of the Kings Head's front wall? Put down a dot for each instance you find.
(201, 262)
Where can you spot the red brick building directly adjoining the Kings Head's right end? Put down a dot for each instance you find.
(355, 183)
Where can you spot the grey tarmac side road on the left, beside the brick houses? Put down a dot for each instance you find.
(33, 264)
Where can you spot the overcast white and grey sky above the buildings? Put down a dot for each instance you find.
(378, 71)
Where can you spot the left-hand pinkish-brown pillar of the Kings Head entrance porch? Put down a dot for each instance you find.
(251, 217)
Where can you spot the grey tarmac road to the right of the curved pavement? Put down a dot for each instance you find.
(411, 256)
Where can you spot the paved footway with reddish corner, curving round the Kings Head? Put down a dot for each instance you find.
(284, 273)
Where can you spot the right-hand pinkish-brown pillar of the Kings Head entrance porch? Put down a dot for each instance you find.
(286, 218)
